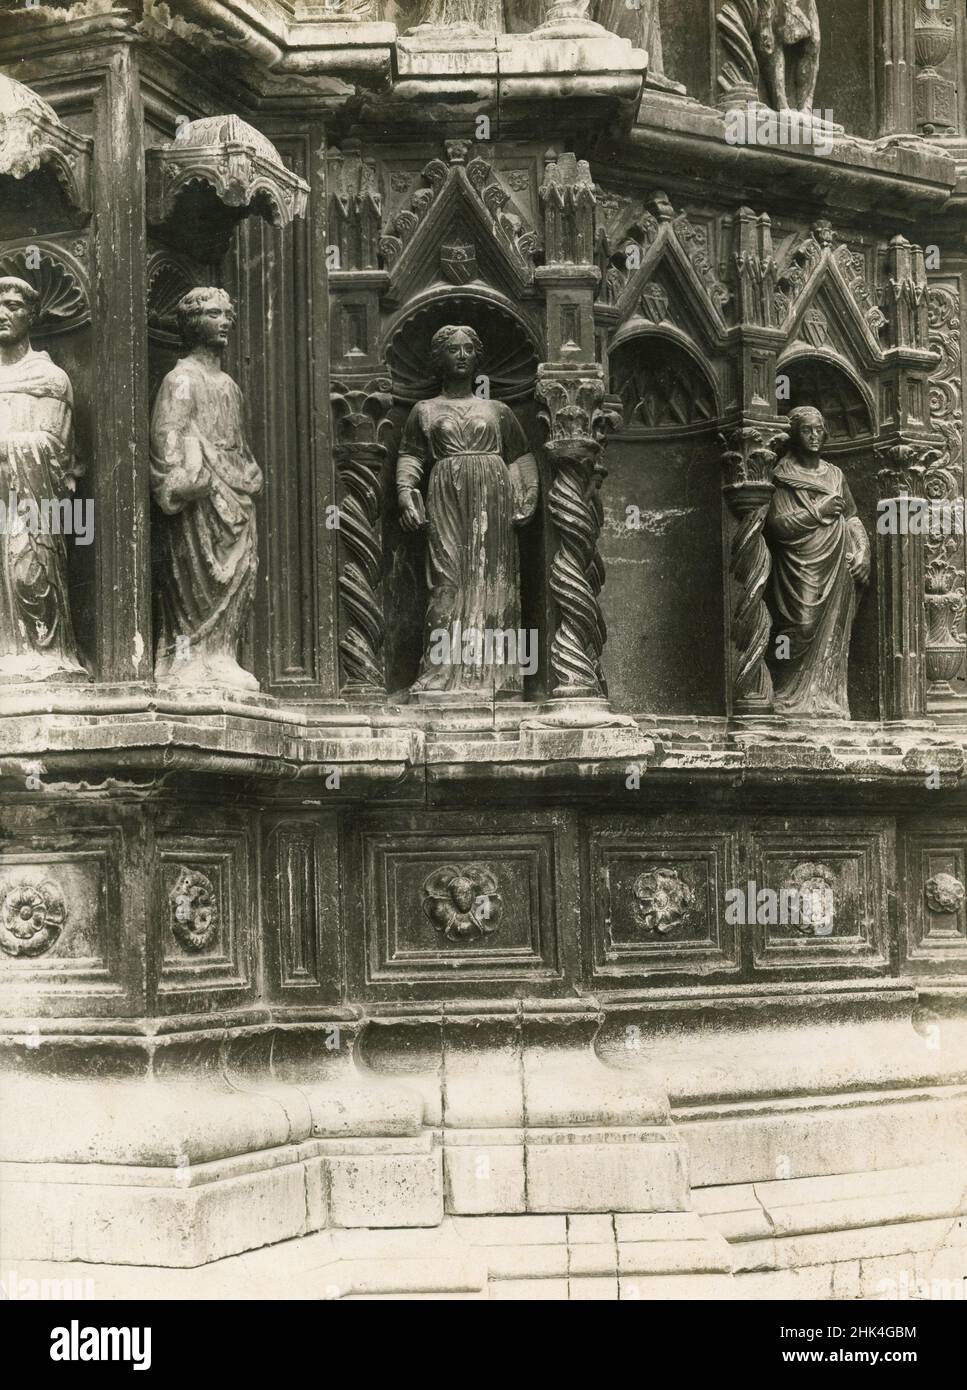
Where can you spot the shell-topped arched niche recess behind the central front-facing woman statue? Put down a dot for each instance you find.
(512, 352)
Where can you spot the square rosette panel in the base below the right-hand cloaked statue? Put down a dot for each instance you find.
(832, 878)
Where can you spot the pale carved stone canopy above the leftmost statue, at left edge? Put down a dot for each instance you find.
(33, 136)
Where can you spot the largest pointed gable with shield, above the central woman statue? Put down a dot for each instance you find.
(459, 231)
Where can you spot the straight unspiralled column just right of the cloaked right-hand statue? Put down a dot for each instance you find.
(900, 587)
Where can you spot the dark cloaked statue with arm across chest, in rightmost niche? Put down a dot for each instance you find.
(820, 559)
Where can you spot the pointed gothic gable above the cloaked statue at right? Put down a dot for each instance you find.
(823, 301)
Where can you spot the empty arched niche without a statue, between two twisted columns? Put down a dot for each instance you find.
(662, 539)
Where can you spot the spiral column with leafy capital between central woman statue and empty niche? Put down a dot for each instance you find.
(576, 420)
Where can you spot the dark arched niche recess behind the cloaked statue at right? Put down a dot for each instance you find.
(829, 383)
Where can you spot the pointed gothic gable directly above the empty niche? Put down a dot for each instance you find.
(675, 280)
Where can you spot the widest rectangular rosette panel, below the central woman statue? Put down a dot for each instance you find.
(447, 907)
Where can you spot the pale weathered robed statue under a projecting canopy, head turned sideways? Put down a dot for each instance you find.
(205, 480)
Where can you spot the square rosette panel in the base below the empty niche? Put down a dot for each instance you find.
(658, 900)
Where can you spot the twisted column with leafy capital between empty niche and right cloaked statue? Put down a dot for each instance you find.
(750, 458)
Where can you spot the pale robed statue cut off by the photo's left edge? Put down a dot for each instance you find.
(38, 479)
